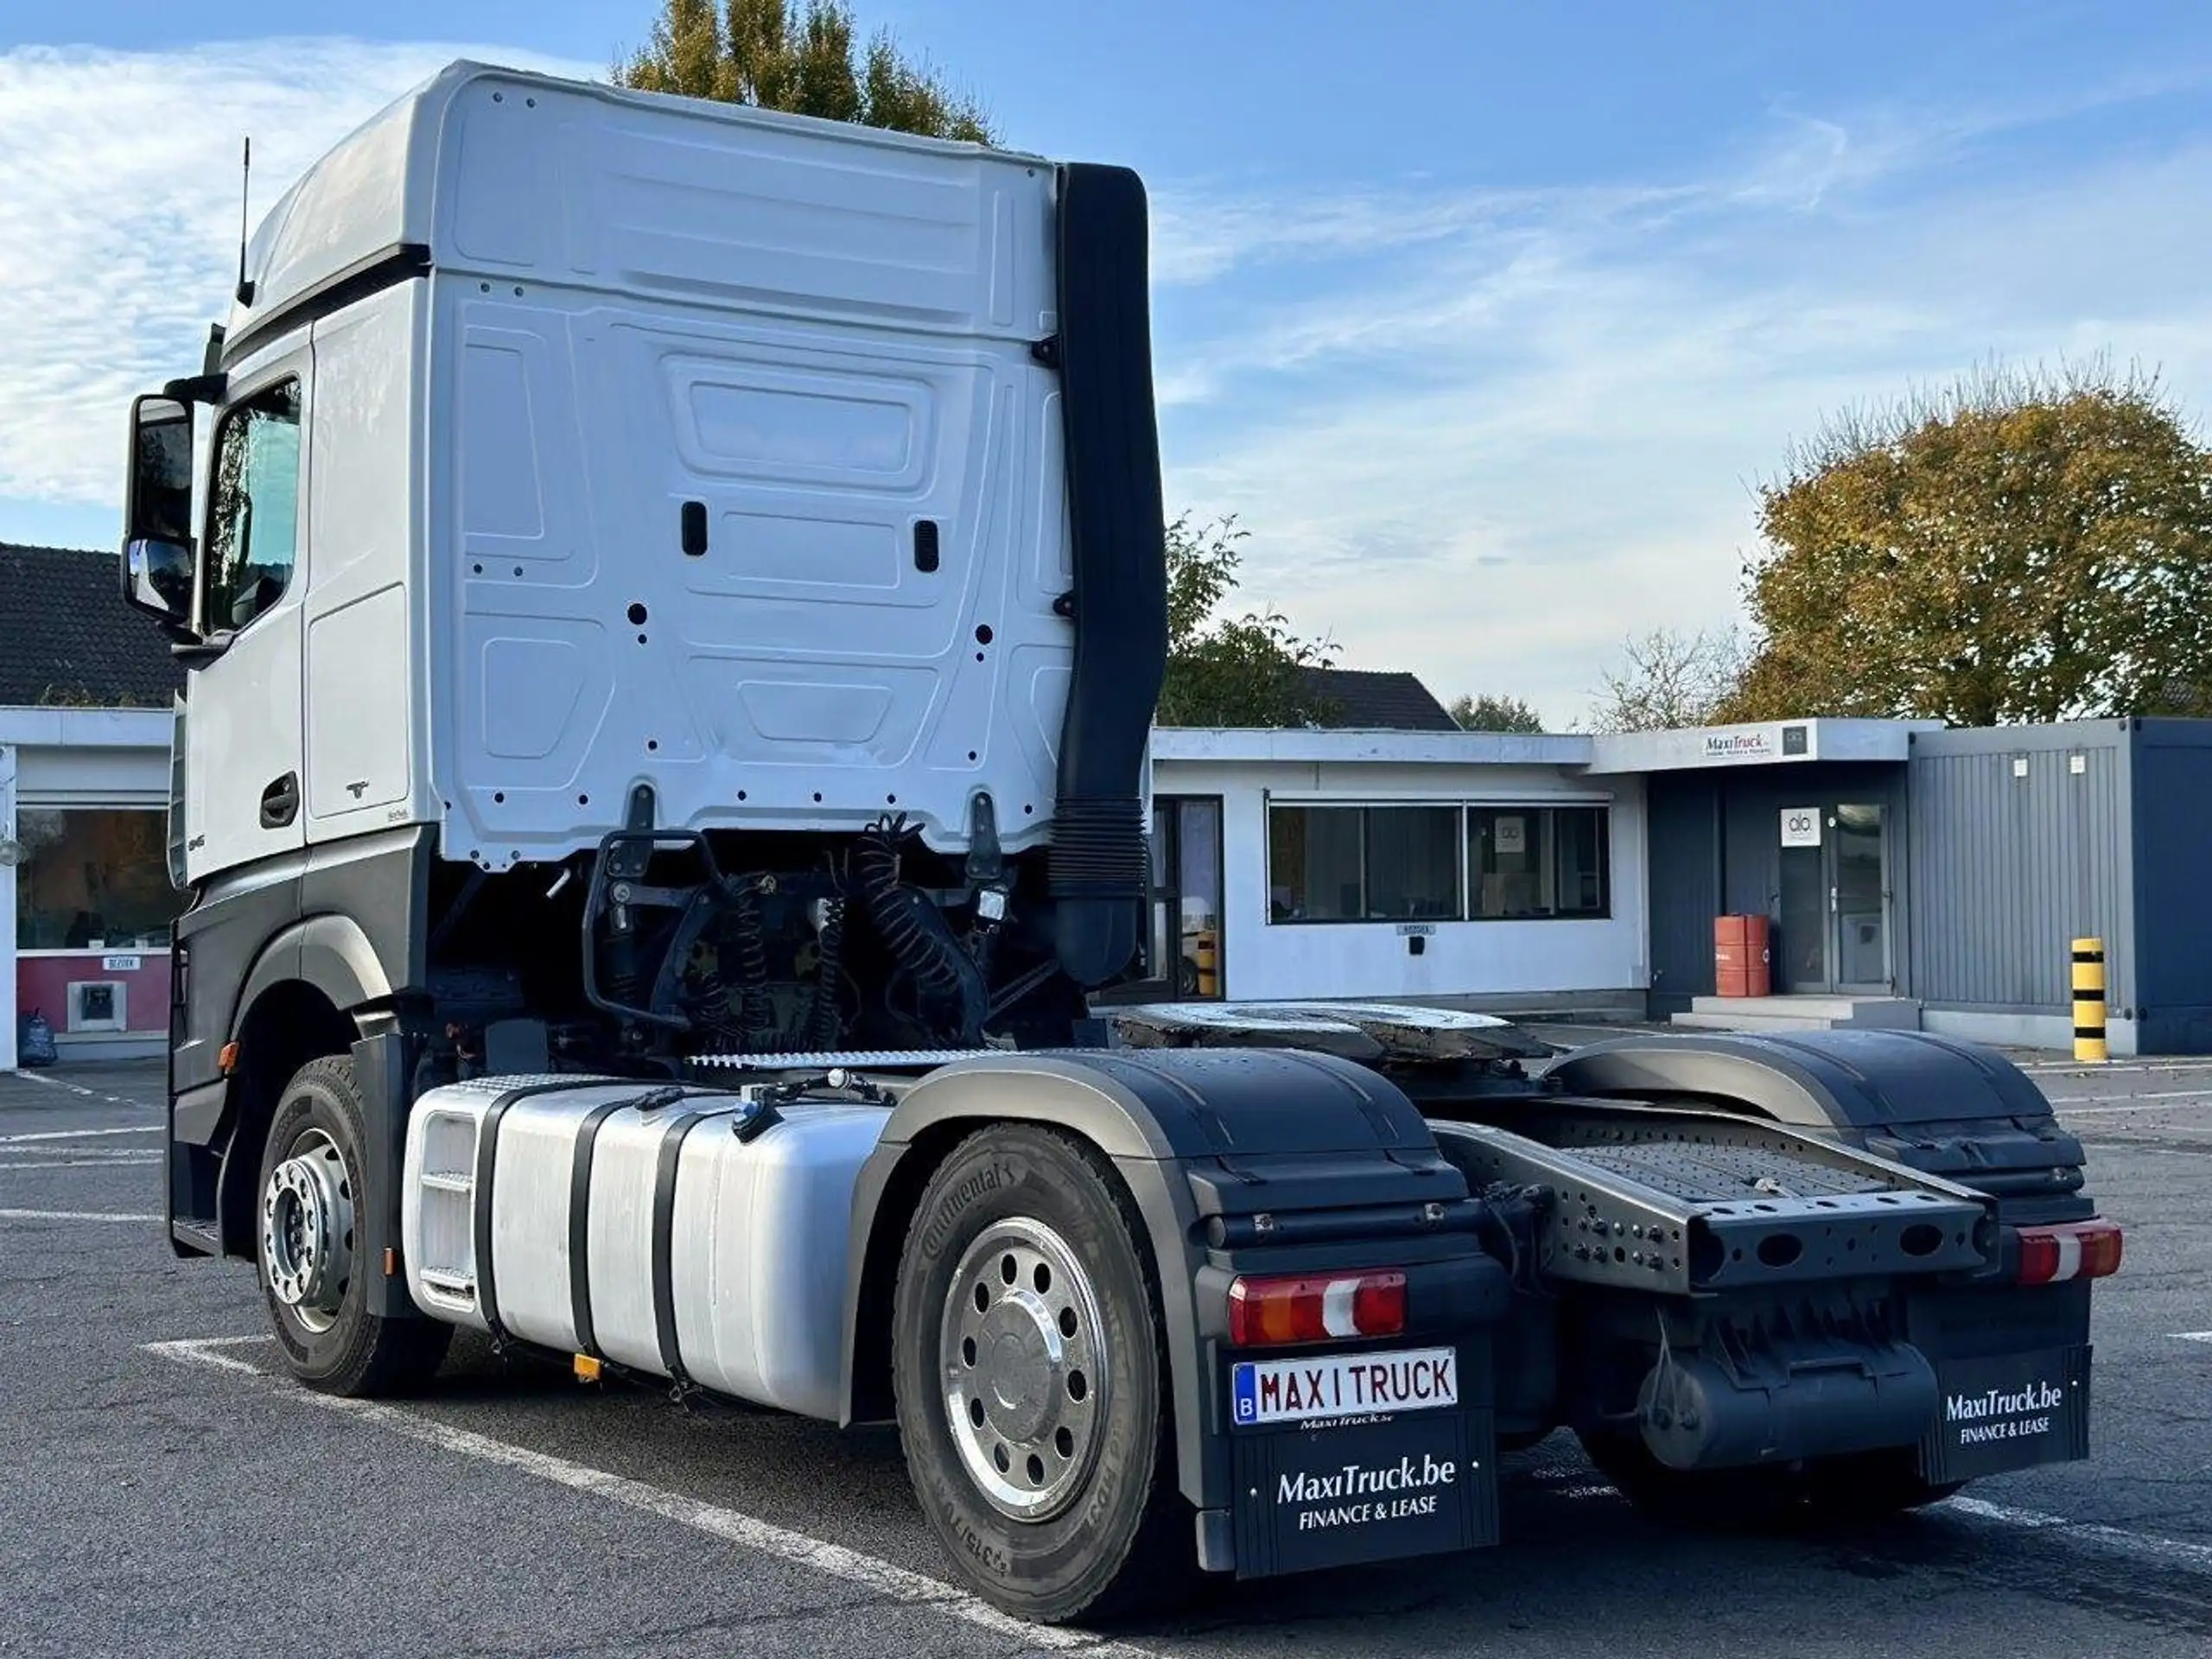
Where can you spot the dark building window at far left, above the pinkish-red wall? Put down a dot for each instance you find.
(92, 879)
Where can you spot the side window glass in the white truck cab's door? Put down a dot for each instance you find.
(253, 523)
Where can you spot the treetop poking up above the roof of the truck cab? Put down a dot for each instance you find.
(804, 61)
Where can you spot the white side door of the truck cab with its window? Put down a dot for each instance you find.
(244, 780)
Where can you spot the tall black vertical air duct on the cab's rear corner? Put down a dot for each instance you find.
(1120, 601)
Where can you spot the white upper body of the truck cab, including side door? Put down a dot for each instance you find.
(576, 441)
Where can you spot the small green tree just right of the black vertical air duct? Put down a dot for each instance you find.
(1231, 671)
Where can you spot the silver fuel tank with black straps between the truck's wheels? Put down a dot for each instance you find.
(667, 1231)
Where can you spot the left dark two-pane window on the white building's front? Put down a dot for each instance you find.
(1364, 864)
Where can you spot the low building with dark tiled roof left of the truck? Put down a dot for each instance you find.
(87, 698)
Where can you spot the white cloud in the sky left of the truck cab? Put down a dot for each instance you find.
(121, 218)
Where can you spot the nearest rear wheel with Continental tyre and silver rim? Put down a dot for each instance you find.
(1032, 1381)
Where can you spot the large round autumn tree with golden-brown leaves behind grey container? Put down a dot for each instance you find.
(2023, 547)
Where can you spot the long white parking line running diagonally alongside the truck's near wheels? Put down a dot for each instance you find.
(749, 1532)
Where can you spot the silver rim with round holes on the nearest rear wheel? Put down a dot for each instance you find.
(1023, 1355)
